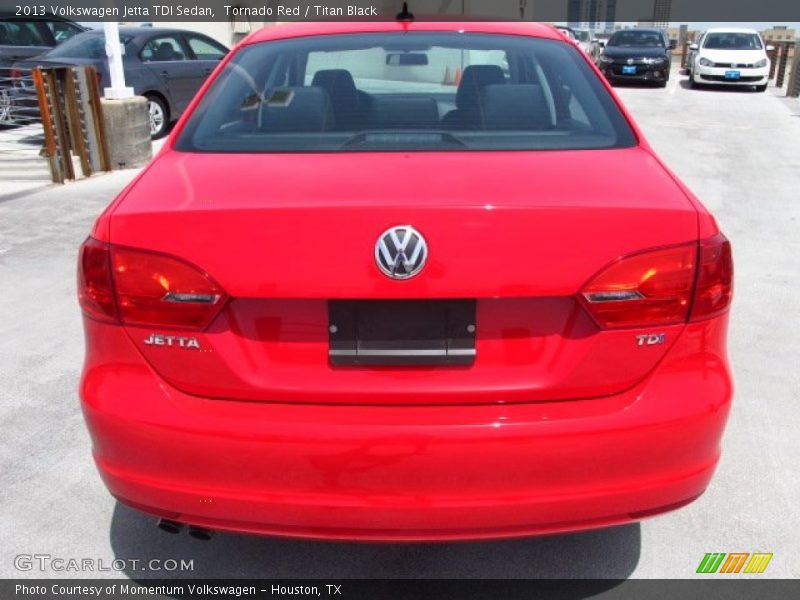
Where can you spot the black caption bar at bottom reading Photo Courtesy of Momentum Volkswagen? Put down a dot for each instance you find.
(702, 587)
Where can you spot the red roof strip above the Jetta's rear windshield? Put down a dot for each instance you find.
(293, 30)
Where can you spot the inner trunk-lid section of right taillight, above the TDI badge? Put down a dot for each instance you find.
(650, 288)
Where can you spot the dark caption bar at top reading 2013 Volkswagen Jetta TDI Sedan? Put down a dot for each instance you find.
(620, 11)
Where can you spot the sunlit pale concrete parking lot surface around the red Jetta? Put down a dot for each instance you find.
(739, 151)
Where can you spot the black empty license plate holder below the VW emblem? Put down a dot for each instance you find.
(401, 332)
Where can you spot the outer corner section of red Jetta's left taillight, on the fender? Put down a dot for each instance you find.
(95, 291)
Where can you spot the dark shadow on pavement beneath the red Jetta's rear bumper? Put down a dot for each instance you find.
(611, 553)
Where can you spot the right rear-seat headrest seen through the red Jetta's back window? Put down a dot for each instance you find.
(515, 106)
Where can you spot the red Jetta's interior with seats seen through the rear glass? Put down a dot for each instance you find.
(369, 106)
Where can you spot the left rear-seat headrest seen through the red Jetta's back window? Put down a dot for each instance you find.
(304, 109)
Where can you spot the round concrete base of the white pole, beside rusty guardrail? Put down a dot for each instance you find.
(127, 131)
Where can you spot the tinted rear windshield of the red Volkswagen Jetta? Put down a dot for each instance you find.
(405, 92)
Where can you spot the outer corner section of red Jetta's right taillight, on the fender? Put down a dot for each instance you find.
(714, 287)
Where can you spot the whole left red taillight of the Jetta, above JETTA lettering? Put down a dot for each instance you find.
(146, 288)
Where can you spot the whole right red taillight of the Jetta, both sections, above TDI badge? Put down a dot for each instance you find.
(664, 286)
